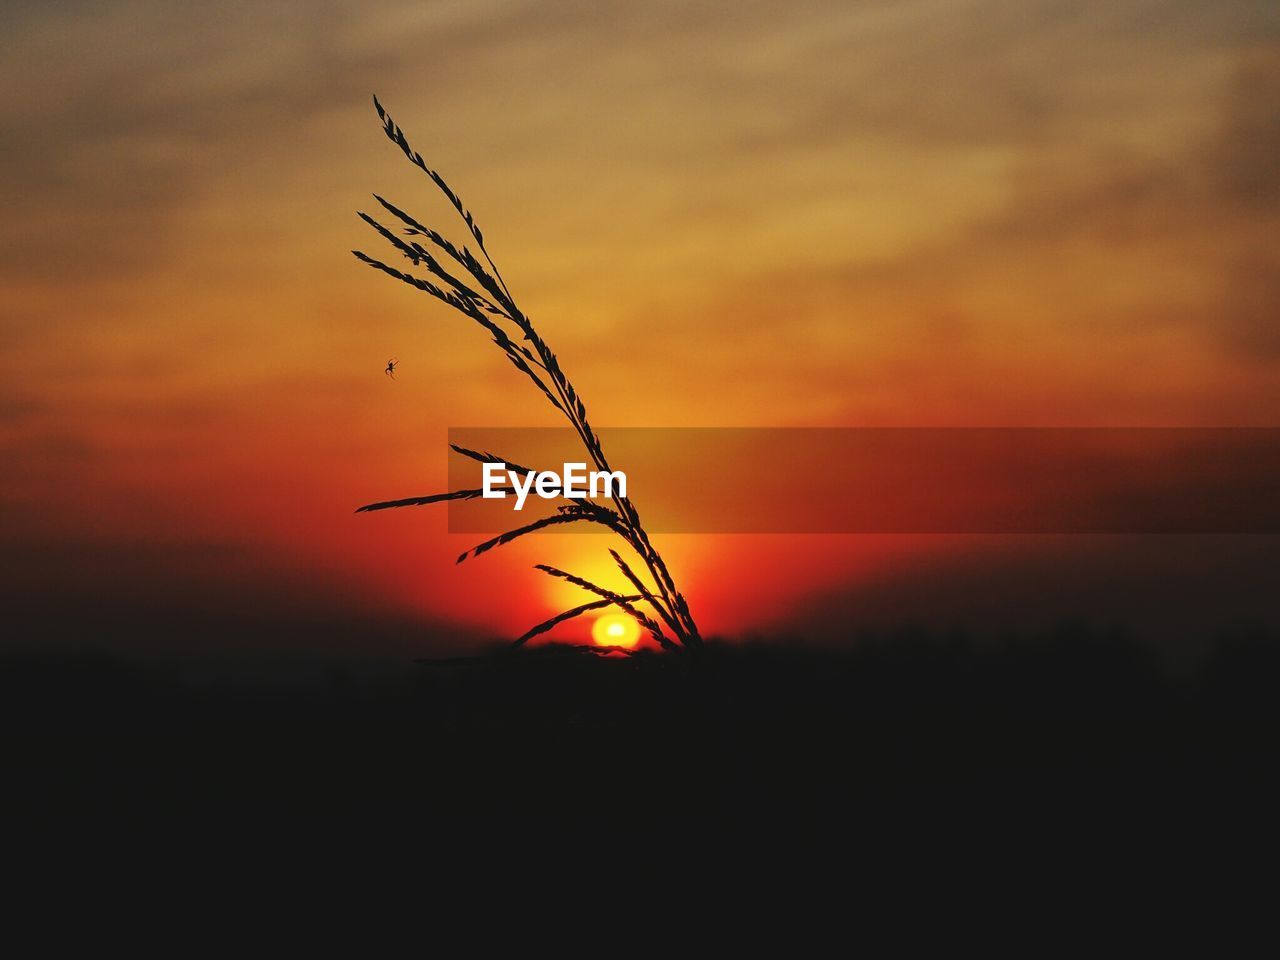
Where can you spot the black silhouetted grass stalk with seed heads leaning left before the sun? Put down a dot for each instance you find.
(479, 292)
